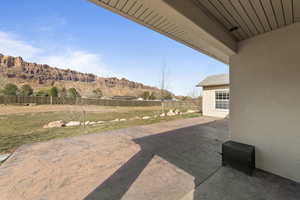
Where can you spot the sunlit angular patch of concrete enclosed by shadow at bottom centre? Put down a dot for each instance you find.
(159, 174)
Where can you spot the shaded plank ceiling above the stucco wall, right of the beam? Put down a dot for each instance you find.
(248, 18)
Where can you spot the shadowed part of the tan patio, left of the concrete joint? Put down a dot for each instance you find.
(194, 149)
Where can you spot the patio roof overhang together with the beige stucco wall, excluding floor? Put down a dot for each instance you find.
(260, 42)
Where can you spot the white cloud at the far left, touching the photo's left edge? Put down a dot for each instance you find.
(10, 45)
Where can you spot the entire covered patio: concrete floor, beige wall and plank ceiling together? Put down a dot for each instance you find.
(259, 40)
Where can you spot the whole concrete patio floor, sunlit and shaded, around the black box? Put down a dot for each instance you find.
(170, 160)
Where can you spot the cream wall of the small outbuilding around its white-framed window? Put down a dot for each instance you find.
(209, 102)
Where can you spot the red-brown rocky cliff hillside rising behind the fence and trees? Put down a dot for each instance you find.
(41, 76)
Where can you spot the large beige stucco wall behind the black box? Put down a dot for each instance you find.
(265, 99)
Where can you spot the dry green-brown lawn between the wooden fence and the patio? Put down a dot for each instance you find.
(24, 124)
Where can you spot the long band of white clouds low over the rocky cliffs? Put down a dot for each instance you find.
(74, 59)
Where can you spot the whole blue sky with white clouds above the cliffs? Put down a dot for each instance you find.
(79, 35)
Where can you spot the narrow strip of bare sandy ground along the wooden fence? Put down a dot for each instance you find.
(11, 109)
